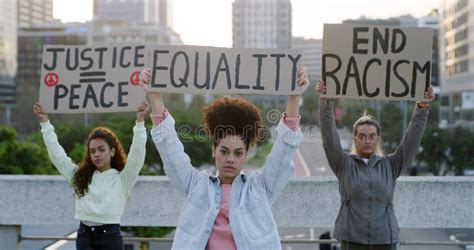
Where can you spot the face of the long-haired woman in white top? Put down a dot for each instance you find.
(101, 154)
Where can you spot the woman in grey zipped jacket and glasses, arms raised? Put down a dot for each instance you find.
(366, 177)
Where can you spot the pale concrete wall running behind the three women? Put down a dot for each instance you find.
(420, 202)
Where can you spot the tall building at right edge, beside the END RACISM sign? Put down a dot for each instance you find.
(457, 63)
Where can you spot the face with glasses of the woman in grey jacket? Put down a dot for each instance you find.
(366, 140)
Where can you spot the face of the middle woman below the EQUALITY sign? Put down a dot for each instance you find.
(230, 155)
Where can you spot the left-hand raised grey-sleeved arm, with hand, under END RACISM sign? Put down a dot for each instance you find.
(331, 141)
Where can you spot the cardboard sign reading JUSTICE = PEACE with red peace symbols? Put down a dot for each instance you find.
(80, 79)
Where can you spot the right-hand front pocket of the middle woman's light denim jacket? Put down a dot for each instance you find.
(257, 218)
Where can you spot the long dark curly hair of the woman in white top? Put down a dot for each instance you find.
(83, 176)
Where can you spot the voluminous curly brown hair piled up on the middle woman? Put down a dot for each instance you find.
(232, 116)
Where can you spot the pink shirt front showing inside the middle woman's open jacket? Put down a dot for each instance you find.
(221, 234)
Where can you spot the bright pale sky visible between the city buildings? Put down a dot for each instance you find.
(209, 22)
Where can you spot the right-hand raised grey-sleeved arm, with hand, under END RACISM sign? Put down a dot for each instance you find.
(412, 138)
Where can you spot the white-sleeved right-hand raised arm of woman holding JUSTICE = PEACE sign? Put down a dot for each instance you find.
(136, 155)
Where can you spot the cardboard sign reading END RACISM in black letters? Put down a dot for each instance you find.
(376, 62)
